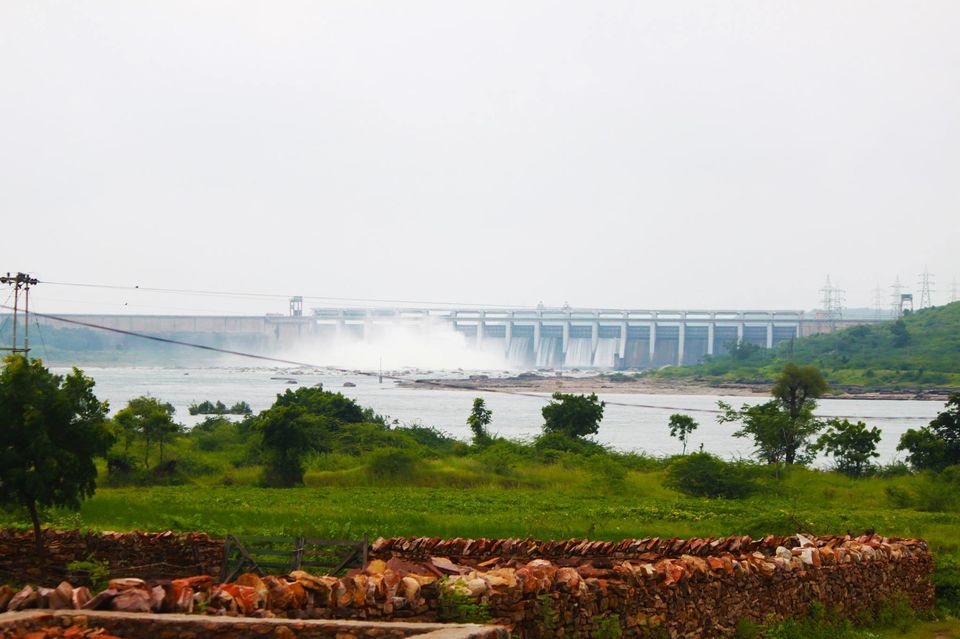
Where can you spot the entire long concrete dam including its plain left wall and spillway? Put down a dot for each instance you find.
(526, 338)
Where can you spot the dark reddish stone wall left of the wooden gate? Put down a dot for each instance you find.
(159, 555)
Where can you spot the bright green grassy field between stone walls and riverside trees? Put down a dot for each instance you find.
(448, 499)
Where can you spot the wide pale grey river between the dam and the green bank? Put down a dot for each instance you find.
(631, 421)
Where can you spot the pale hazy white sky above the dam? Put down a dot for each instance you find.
(621, 154)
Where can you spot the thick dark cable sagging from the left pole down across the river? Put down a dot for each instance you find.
(436, 383)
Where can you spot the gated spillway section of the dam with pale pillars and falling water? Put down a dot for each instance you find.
(591, 338)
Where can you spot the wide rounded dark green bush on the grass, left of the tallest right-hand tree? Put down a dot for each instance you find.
(706, 475)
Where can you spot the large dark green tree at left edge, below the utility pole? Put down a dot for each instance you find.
(51, 429)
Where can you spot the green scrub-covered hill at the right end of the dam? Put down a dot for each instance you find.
(920, 351)
